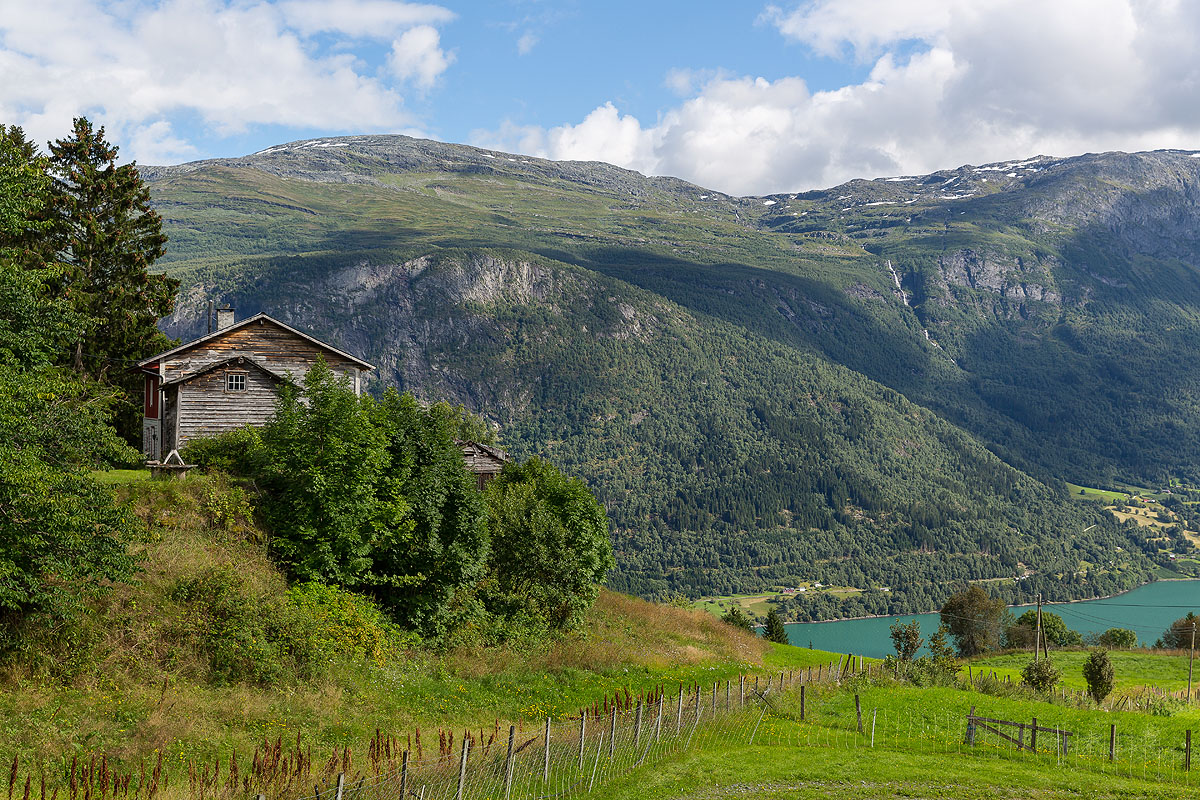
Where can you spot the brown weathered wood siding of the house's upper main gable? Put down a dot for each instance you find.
(277, 348)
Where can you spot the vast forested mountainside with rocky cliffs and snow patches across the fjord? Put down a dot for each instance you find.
(763, 390)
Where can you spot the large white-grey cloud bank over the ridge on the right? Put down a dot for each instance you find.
(952, 82)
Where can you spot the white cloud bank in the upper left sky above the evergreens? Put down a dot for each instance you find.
(232, 64)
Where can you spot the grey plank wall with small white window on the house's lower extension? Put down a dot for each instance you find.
(207, 408)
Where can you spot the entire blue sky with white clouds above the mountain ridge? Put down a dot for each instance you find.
(743, 97)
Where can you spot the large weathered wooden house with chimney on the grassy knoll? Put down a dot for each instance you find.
(229, 380)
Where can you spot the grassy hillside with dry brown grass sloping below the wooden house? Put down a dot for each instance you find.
(149, 669)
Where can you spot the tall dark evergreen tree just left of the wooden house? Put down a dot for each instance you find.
(104, 231)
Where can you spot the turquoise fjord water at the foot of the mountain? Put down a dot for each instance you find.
(1148, 611)
